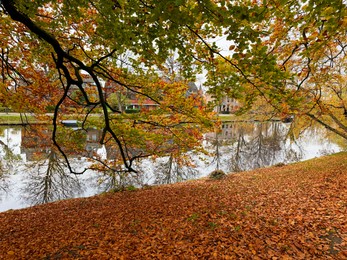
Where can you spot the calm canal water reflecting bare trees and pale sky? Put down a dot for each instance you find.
(31, 173)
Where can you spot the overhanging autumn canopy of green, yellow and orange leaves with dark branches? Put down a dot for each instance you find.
(289, 55)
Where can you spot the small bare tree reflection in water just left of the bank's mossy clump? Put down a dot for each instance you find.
(173, 169)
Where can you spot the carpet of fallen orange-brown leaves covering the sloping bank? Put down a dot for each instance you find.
(296, 211)
